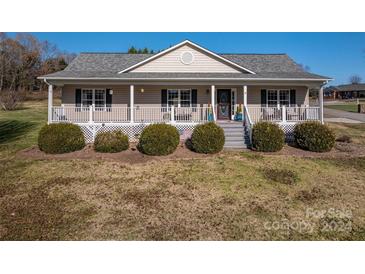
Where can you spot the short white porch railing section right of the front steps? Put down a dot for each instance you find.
(283, 114)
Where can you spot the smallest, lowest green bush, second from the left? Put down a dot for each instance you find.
(111, 141)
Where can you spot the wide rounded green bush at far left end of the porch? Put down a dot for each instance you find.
(60, 138)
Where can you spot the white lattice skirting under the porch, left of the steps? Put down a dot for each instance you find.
(132, 131)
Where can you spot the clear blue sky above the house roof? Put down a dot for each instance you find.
(338, 55)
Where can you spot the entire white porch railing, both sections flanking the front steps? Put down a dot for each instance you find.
(175, 114)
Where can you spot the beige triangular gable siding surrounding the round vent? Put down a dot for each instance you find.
(170, 62)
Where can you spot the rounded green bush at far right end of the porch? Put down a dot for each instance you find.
(314, 136)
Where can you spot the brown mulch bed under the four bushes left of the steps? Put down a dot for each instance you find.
(131, 156)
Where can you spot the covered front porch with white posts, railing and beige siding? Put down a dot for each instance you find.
(141, 104)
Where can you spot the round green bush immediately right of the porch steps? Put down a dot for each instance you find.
(267, 137)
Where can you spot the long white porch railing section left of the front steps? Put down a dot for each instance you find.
(112, 114)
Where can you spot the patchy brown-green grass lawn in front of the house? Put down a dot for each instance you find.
(228, 196)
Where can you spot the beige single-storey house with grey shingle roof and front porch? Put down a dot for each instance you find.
(184, 85)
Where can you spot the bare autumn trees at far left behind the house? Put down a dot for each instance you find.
(22, 59)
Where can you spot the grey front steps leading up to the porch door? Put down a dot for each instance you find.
(234, 133)
